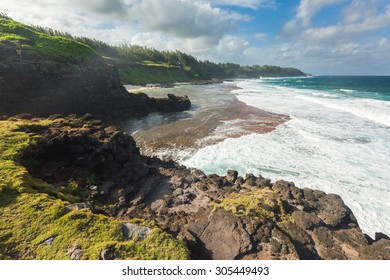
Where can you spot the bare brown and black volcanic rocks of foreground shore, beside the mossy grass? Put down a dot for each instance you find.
(217, 217)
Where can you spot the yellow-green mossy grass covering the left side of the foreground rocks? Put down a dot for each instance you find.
(32, 211)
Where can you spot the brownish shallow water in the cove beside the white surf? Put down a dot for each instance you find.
(216, 114)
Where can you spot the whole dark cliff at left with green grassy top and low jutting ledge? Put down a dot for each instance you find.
(44, 74)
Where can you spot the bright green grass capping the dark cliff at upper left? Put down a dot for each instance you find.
(33, 40)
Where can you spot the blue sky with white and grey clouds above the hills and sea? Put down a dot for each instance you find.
(320, 37)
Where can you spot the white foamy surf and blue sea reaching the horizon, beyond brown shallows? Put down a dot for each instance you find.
(337, 140)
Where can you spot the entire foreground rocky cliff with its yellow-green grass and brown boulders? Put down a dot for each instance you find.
(74, 188)
